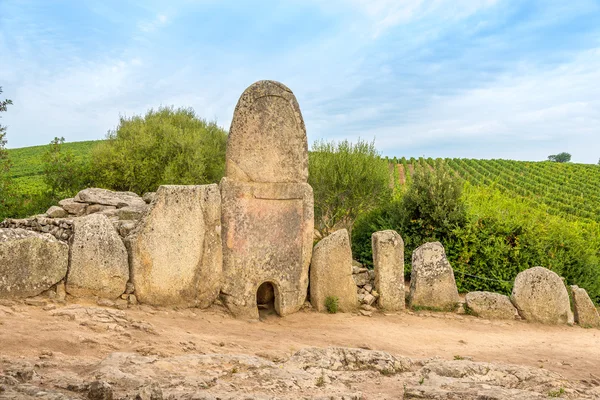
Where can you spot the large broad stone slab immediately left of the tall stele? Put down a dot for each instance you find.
(175, 251)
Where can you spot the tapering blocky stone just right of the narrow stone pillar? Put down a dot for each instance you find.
(432, 281)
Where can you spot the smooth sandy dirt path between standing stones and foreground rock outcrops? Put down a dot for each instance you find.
(27, 331)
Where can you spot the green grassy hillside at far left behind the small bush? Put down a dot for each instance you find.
(27, 169)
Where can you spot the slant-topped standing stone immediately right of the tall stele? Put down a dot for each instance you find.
(331, 273)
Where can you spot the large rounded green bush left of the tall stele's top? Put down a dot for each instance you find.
(166, 146)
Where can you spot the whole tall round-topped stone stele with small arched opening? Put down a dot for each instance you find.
(267, 204)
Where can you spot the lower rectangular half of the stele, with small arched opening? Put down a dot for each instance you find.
(267, 237)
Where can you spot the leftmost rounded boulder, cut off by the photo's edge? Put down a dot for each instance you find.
(30, 262)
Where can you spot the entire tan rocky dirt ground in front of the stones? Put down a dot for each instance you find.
(85, 351)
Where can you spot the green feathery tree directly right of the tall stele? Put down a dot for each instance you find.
(347, 179)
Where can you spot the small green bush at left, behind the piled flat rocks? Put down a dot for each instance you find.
(62, 173)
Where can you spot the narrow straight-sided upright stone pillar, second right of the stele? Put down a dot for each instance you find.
(388, 260)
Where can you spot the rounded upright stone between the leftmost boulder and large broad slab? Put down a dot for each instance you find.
(99, 263)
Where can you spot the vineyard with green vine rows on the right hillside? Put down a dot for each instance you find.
(571, 191)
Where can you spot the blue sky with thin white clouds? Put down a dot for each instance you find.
(444, 78)
